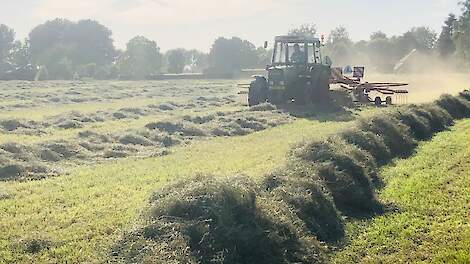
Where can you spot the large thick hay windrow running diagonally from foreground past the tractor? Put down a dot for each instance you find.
(304, 201)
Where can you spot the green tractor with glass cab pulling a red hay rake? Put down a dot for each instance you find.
(298, 73)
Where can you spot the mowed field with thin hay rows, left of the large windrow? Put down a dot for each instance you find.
(89, 154)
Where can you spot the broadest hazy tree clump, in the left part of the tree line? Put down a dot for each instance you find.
(64, 46)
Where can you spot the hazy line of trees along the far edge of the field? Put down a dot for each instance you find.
(62, 49)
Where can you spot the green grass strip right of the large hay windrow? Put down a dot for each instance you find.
(432, 193)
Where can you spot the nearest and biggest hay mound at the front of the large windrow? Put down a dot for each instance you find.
(217, 221)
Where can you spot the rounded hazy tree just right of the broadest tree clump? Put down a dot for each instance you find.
(141, 59)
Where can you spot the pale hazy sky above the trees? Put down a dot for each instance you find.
(195, 24)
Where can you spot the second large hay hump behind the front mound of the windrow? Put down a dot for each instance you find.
(347, 171)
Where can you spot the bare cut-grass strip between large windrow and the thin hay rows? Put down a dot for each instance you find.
(83, 213)
